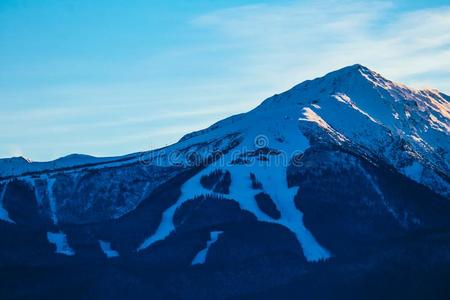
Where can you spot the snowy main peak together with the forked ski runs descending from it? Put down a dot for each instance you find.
(352, 107)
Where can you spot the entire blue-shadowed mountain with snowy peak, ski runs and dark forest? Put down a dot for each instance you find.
(337, 188)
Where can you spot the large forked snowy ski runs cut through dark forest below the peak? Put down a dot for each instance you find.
(272, 175)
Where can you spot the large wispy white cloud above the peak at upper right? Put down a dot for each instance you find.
(285, 43)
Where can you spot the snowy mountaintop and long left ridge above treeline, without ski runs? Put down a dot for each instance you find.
(407, 128)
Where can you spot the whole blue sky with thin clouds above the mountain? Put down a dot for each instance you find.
(113, 77)
